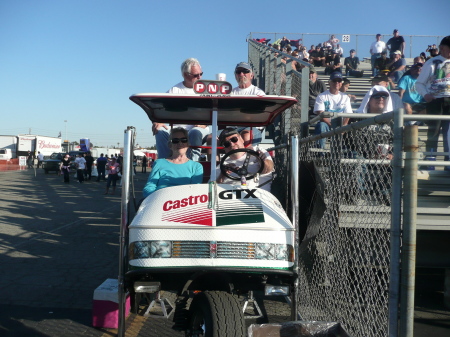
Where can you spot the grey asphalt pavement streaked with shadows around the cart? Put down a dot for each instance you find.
(58, 242)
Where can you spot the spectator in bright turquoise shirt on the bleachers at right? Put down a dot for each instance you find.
(412, 100)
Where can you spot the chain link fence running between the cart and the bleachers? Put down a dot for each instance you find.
(344, 204)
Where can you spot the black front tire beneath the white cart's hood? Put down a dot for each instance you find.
(215, 314)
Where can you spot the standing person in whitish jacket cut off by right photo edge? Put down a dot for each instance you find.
(433, 84)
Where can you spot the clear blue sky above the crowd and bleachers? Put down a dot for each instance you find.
(80, 60)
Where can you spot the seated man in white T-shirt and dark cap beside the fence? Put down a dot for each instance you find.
(332, 100)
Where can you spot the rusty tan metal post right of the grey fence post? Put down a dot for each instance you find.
(409, 231)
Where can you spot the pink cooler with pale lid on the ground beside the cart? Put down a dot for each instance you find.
(105, 307)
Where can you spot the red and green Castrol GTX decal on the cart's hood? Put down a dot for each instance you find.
(237, 206)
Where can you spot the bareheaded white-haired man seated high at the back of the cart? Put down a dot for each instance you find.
(191, 71)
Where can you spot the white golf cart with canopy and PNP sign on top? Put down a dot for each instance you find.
(209, 242)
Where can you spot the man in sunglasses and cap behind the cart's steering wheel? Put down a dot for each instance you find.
(230, 139)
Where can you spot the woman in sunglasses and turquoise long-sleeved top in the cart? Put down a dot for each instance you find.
(177, 169)
